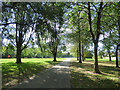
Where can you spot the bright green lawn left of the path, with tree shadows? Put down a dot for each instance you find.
(13, 73)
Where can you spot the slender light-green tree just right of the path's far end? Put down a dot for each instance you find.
(79, 26)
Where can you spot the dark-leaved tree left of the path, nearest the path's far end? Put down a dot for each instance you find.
(51, 20)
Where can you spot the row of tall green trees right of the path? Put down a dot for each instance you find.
(88, 22)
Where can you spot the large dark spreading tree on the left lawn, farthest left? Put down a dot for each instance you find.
(21, 16)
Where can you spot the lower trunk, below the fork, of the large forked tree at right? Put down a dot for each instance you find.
(96, 67)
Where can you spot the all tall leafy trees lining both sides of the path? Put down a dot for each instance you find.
(43, 24)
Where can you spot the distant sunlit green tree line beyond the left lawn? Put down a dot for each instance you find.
(33, 52)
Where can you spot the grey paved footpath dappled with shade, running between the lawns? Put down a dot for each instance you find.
(56, 77)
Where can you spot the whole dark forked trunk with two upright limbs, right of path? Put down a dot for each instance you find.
(95, 38)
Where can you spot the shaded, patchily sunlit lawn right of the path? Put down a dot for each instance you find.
(83, 75)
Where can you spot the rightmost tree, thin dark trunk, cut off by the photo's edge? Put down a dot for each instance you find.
(115, 25)
